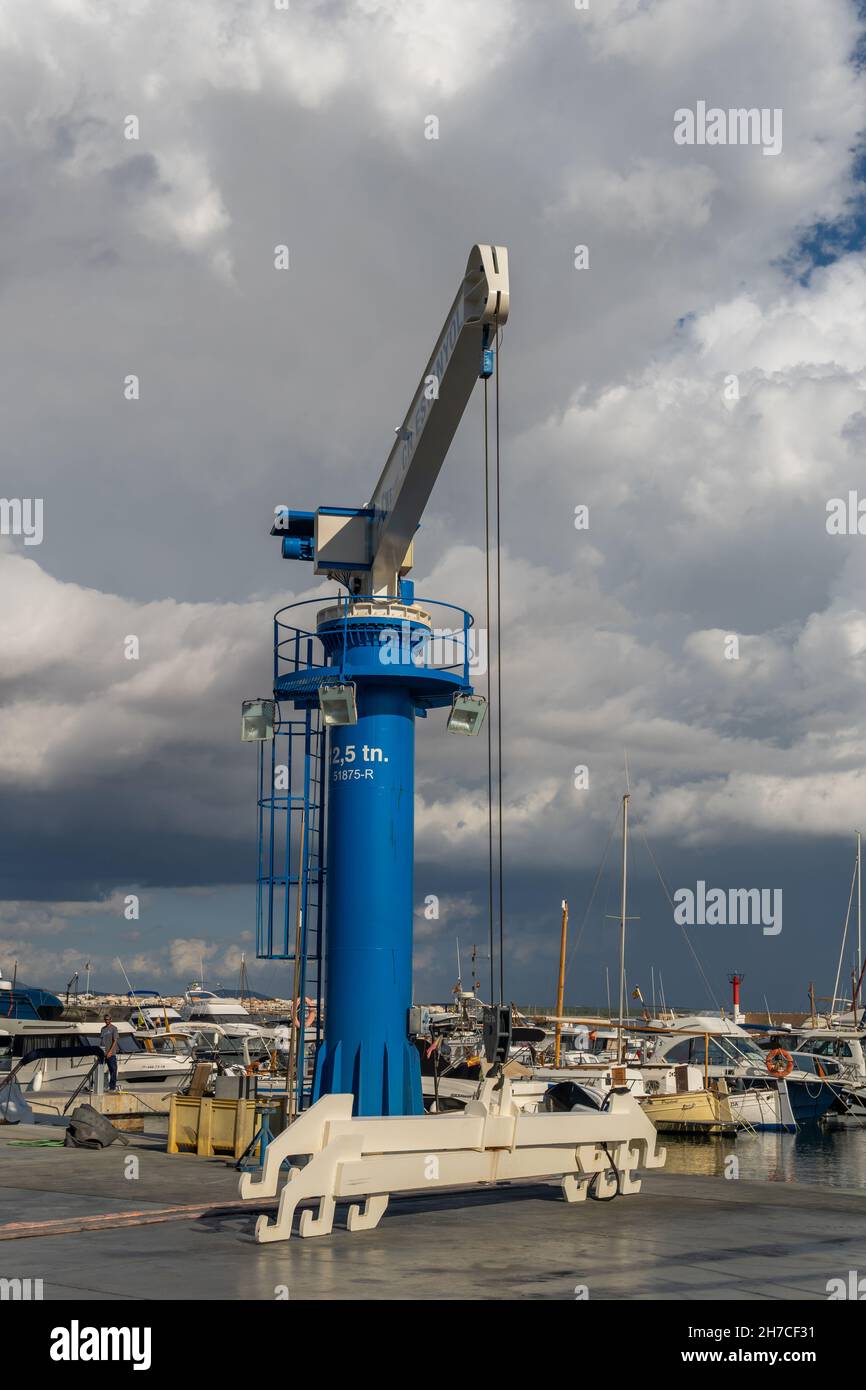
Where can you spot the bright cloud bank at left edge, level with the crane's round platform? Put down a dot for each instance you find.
(76, 707)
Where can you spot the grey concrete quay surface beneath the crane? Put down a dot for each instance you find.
(682, 1238)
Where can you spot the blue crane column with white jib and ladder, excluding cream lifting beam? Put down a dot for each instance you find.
(338, 786)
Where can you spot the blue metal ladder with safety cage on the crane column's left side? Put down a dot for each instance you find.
(291, 864)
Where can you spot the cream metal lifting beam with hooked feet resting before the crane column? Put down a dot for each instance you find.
(490, 1142)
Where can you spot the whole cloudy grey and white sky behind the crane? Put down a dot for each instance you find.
(698, 387)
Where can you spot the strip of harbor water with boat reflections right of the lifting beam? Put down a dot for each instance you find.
(815, 1157)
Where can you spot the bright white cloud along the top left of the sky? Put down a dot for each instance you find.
(88, 69)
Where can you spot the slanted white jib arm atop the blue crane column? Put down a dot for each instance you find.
(423, 441)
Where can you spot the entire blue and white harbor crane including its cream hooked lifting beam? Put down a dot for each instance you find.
(358, 680)
